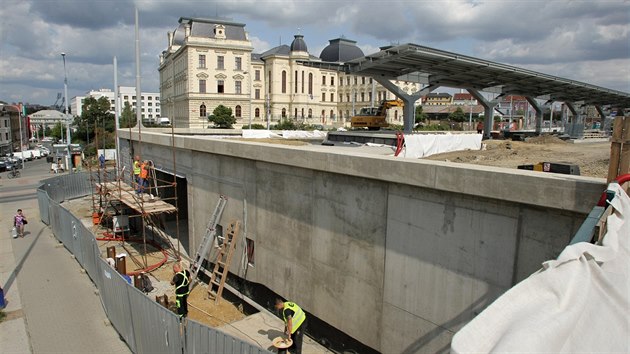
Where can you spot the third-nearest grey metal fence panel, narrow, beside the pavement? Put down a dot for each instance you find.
(113, 291)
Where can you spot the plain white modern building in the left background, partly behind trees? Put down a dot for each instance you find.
(150, 101)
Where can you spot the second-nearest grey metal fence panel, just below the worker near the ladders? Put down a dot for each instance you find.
(156, 328)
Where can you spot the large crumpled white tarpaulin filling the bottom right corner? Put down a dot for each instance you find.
(577, 303)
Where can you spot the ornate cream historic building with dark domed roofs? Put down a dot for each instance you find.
(211, 62)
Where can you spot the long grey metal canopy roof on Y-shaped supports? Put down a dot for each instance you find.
(436, 67)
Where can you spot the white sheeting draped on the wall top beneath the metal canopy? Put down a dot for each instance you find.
(422, 145)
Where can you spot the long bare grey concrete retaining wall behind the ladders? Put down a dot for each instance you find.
(398, 254)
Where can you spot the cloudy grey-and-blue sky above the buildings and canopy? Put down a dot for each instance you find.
(588, 41)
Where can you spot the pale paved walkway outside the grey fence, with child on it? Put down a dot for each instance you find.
(51, 305)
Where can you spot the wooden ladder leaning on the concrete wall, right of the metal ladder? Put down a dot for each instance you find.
(222, 264)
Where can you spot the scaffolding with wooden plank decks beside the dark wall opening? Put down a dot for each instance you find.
(116, 202)
